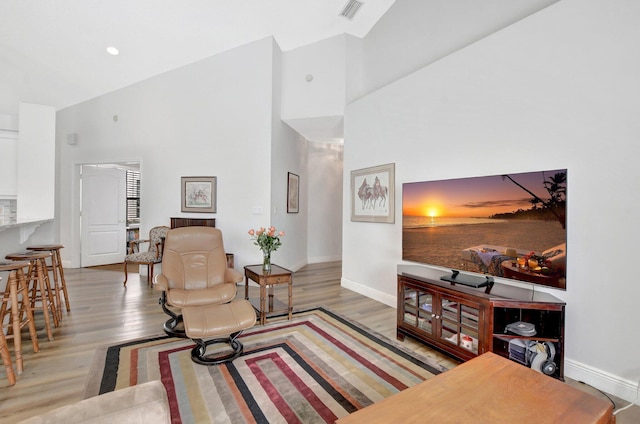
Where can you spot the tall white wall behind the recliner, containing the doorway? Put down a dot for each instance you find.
(213, 117)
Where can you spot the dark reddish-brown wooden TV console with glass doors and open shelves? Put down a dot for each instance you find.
(465, 321)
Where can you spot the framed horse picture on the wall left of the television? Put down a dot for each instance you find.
(373, 194)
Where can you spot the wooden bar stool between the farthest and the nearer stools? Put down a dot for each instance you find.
(40, 285)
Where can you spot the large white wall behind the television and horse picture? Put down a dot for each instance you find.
(558, 89)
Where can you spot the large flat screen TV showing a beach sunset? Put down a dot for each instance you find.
(511, 226)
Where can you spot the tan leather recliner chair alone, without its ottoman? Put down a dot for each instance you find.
(194, 273)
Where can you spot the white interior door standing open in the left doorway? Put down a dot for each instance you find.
(103, 216)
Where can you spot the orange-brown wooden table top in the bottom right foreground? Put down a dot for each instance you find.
(488, 389)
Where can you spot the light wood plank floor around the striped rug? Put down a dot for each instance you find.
(103, 312)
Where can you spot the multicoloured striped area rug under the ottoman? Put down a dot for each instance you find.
(316, 368)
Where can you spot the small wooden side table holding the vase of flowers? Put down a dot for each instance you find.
(277, 275)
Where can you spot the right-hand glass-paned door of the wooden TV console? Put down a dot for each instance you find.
(459, 323)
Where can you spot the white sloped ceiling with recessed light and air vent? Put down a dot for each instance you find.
(53, 52)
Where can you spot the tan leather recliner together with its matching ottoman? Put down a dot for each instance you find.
(196, 280)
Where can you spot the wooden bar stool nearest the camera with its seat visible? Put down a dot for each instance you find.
(16, 303)
